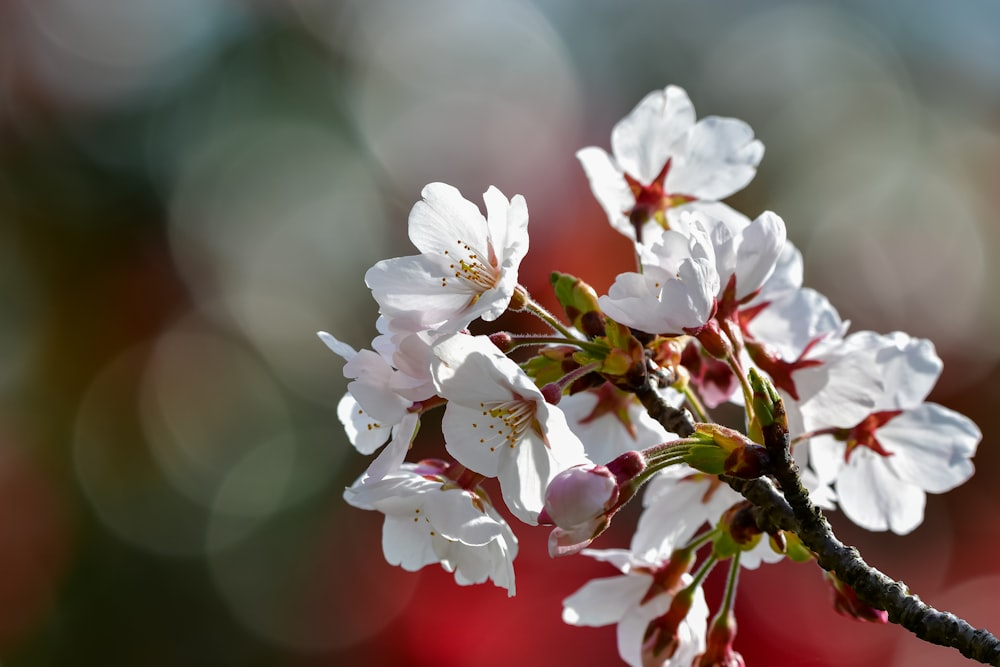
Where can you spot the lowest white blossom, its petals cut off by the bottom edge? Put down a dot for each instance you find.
(633, 600)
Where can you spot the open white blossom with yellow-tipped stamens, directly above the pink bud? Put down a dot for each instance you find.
(498, 424)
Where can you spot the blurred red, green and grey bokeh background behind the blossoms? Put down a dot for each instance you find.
(190, 189)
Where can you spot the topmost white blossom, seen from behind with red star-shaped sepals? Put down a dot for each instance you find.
(662, 159)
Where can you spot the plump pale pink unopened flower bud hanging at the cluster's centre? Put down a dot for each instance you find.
(579, 495)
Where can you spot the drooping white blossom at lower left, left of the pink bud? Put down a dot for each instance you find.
(428, 519)
